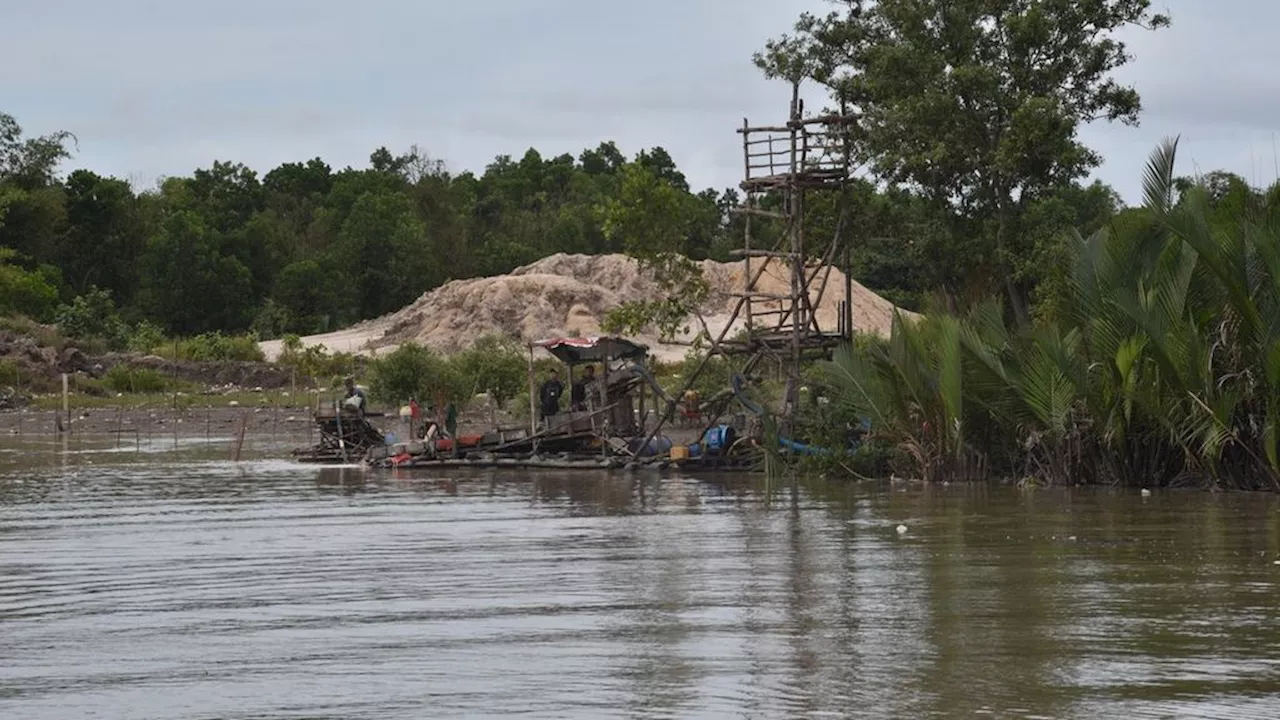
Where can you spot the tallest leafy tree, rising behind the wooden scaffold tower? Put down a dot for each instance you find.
(976, 103)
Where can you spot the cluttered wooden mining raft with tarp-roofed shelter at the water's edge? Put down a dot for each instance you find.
(620, 423)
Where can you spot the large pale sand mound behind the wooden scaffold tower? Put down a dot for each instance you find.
(569, 295)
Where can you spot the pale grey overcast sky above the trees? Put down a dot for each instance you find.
(163, 88)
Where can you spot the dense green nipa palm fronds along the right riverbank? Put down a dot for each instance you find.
(1160, 366)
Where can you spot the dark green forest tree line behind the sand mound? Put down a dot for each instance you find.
(307, 249)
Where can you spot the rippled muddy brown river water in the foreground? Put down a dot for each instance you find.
(163, 581)
